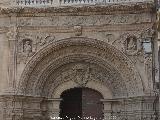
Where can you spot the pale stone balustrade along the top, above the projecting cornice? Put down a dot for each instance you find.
(71, 2)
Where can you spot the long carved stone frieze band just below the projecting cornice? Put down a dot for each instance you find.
(85, 20)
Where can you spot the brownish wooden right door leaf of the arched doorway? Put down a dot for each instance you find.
(91, 105)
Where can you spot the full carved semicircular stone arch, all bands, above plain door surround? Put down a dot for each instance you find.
(80, 60)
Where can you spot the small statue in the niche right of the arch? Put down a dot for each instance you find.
(131, 43)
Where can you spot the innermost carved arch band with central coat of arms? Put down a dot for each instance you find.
(108, 76)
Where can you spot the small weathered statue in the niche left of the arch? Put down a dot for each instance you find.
(27, 47)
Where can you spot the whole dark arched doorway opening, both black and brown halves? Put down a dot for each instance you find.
(81, 104)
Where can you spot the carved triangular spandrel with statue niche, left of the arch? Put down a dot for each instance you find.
(29, 44)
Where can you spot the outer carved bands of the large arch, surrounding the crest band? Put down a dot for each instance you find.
(84, 50)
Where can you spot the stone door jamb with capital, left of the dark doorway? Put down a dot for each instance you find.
(54, 108)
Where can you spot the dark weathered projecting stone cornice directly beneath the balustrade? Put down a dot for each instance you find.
(80, 10)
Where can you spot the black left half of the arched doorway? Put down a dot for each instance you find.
(71, 106)
